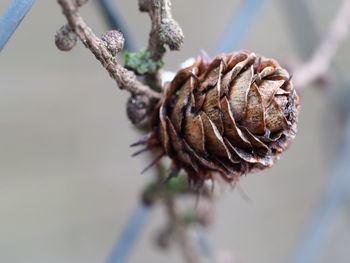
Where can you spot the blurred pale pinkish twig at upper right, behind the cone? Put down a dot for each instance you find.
(321, 59)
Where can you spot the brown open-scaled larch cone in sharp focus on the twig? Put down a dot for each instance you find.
(232, 115)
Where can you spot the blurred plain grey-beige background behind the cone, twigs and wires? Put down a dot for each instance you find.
(68, 183)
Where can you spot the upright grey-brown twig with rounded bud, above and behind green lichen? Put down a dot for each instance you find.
(164, 31)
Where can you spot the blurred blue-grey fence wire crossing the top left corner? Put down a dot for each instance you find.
(11, 19)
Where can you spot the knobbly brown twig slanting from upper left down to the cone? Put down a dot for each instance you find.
(124, 78)
